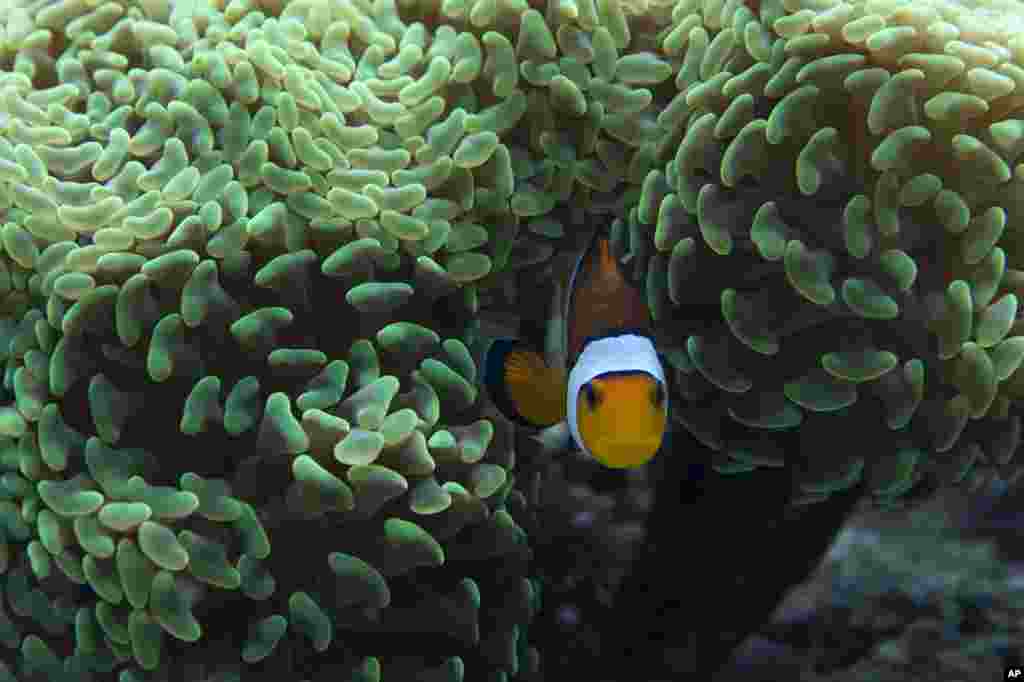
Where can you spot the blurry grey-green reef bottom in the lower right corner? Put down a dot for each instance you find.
(907, 599)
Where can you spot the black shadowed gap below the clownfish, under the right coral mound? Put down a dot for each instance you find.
(720, 555)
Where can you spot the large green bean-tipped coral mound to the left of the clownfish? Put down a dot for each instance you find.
(203, 476)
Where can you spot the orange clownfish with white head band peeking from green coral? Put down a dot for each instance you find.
(605, 385)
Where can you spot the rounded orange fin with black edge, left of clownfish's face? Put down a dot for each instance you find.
(523, 387)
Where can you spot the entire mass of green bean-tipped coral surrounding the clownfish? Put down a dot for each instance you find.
(248, 248)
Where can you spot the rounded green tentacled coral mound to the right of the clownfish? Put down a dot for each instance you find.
(845, 189)
